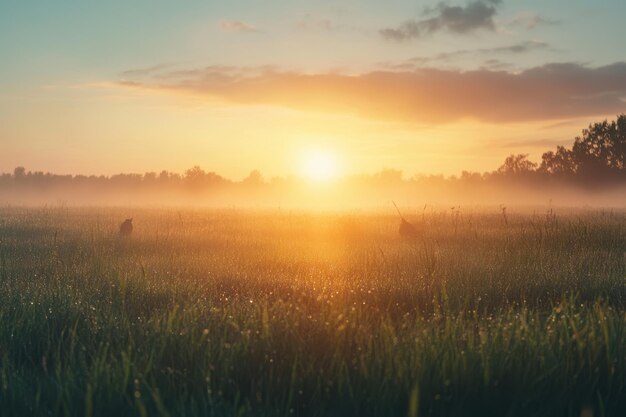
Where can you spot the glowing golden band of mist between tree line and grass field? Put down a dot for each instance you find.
(363, 192)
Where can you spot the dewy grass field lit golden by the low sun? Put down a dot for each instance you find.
(233, 313)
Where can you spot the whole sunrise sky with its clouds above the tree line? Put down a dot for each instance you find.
(426, 87)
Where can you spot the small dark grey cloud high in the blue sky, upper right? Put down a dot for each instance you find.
(478, 14)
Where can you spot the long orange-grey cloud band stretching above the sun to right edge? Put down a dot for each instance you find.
(428, 95)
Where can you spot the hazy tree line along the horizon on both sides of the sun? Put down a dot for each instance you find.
(596, 158)
